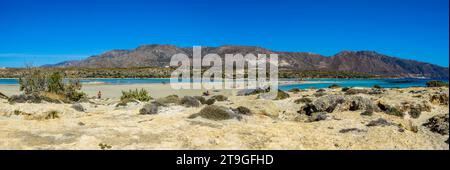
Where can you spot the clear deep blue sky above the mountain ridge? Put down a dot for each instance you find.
(46, 32)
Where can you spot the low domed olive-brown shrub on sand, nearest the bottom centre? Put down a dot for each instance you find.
(214, 112)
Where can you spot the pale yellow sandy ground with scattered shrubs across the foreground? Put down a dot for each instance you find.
(273, 124)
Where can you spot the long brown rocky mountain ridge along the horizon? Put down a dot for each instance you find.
(357, 61)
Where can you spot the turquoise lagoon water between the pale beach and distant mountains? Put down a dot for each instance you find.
(315, 83)
